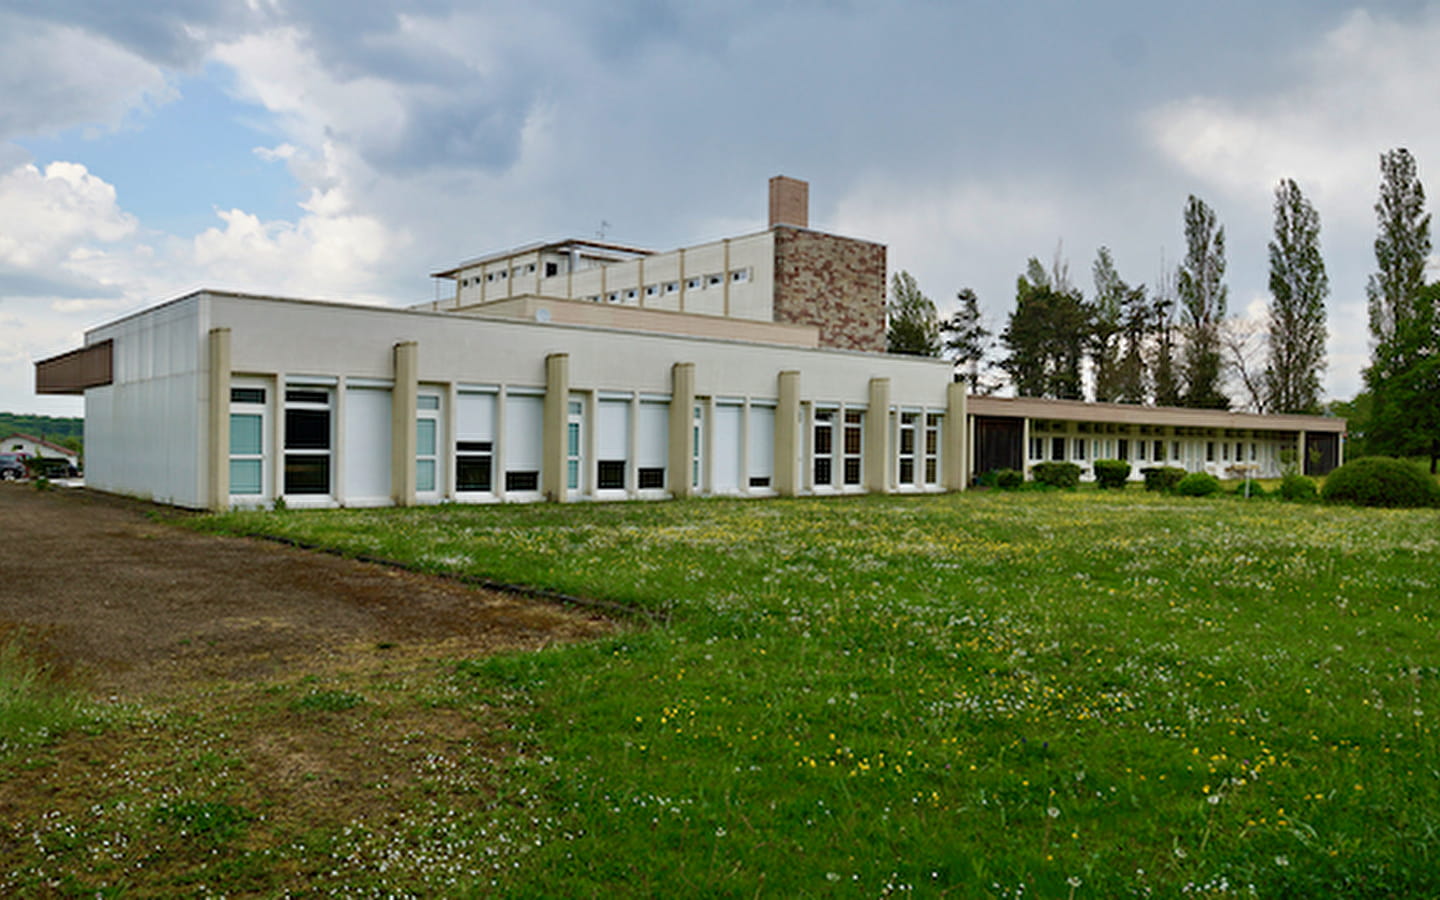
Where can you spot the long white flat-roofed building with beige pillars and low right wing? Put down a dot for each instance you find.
(565, 372)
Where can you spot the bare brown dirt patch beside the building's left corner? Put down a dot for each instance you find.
(135, 606)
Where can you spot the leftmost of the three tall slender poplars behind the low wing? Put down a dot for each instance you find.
(1200, 283)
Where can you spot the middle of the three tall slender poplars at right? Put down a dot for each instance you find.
(1298, 292)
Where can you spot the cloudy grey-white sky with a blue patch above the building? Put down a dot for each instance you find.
(341, 150)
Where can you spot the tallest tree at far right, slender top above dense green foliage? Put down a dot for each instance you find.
(1405, 371)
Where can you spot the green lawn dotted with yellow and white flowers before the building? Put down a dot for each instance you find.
(986, 695)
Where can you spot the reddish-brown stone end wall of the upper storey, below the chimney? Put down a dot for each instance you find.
(837, 284)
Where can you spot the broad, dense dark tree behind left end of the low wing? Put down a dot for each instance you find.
(1048, 335)
